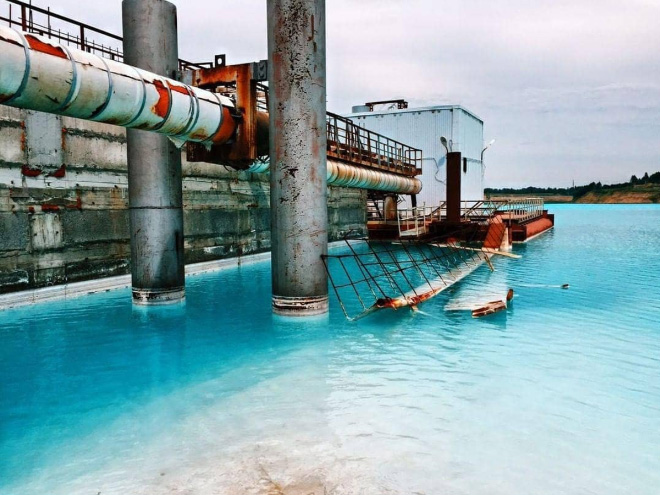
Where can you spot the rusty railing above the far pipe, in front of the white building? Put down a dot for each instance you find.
(349, 142)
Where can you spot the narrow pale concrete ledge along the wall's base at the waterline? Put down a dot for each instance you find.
(78, 289)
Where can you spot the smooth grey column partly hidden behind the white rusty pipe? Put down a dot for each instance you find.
(154, 164)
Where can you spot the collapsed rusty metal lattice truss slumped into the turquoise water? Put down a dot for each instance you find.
(373, 275)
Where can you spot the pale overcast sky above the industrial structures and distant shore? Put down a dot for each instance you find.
(570, 89)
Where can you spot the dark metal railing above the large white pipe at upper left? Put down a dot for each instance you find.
(44, 22)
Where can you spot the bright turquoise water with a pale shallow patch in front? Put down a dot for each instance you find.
(560, 395)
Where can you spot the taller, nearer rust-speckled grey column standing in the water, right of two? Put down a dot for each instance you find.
(299, 216)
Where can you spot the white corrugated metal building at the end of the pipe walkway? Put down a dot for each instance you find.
(422, 128)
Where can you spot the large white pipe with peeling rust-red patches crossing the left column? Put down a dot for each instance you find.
(38, 74)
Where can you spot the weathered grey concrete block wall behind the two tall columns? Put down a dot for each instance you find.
(64, 204)
